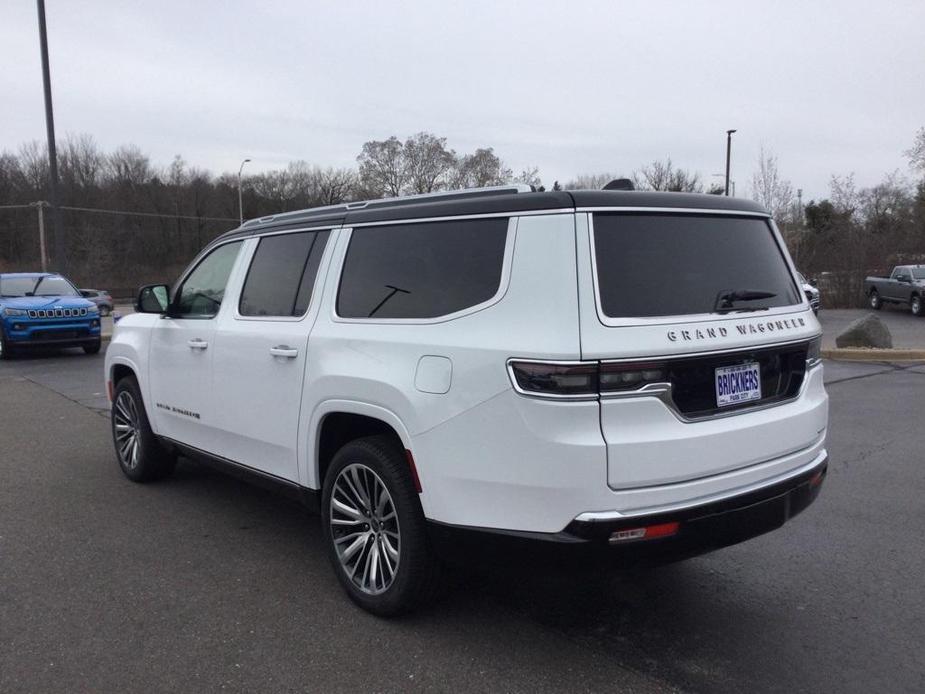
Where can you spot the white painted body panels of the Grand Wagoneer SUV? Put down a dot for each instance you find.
(485, 454)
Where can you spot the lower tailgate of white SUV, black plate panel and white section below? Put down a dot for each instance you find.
(680, 433)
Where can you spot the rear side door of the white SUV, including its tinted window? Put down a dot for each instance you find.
(261, 346)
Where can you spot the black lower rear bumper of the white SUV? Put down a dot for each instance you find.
(701, 529)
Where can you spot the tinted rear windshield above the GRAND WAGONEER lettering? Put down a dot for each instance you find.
(672, 264)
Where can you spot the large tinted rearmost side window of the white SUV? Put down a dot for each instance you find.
(421, 270)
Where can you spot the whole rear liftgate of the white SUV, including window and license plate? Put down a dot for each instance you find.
(697, 319)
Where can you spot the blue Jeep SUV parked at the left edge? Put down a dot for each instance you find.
(42, 309)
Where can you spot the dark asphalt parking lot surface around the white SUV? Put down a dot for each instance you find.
(204, 583)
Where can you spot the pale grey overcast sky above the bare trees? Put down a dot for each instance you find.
(572, 87)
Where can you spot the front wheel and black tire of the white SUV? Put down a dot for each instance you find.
(142, 458)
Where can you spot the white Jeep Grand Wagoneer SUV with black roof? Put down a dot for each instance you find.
(603, 374)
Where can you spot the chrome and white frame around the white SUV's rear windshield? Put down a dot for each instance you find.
(643, 321)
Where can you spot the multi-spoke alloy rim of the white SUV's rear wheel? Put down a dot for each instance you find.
(365, 529)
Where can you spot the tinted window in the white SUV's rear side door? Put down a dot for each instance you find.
(282, 274)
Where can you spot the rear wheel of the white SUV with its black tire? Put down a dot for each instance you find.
(416, 577)
